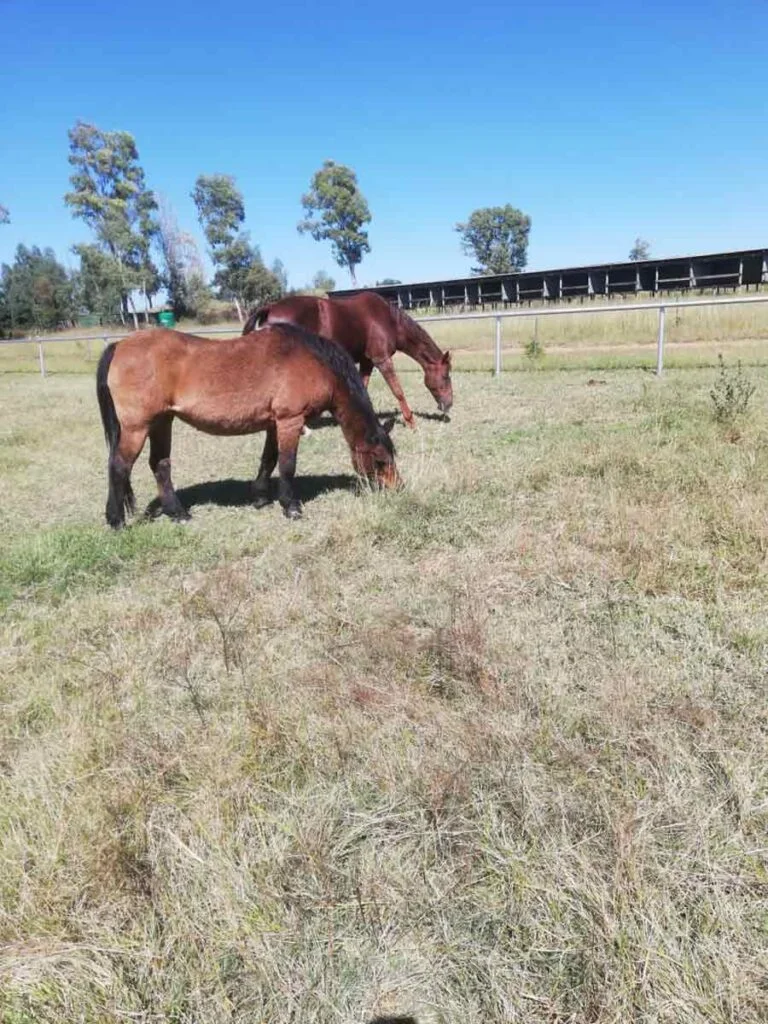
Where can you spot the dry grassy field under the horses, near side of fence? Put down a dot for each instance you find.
(490, 750)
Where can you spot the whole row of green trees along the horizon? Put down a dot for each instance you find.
(139, 248)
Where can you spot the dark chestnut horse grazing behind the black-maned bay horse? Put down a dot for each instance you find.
(371, 330)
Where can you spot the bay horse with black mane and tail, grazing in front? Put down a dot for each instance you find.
(271, 381)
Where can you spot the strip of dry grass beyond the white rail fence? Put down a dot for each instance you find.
(620, 340)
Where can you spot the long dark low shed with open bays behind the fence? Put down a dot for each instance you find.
(711, 272)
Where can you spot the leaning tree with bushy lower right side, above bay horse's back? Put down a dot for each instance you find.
(241, 275)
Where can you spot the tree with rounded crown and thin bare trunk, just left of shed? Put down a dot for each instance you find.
(337, 211)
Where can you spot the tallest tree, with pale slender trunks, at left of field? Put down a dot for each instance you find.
(110, 194)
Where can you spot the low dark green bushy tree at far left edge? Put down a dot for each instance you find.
(38, 291)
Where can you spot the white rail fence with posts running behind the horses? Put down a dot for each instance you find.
(627, 308)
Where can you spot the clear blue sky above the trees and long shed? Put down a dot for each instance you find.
(602, 121)
